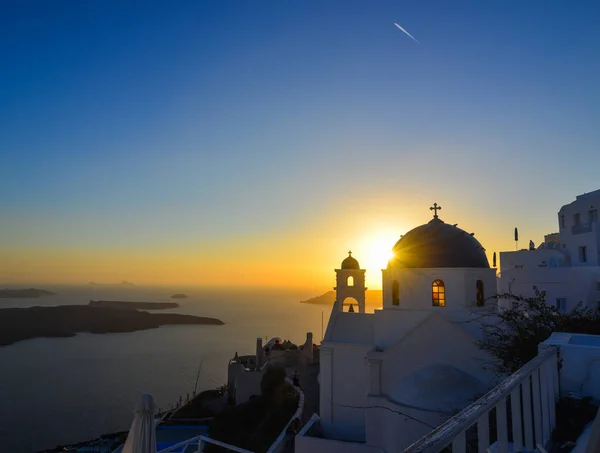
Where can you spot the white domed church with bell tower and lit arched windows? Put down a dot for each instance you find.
(388, 377)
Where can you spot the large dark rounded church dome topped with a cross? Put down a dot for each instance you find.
(437, 244)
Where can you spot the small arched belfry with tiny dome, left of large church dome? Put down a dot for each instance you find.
(350, 283)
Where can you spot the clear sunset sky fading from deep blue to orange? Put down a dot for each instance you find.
(250, 143)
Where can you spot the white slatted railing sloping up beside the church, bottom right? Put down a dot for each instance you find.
(530, 397)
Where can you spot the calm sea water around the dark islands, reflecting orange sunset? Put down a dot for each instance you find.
(64, 390)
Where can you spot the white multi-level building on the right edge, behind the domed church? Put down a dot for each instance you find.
(566, 265)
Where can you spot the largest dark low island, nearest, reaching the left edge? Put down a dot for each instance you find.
(17, 324)
